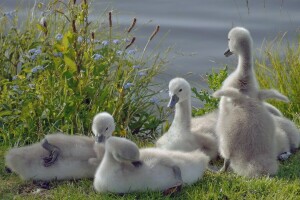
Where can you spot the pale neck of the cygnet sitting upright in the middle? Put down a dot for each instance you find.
(182, 118)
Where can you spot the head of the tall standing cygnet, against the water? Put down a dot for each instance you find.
(239, 41)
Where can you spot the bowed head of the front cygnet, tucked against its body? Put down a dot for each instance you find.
(123, 150)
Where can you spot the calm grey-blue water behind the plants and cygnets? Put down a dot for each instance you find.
(197, 29)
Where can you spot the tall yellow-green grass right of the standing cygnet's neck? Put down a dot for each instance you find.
(279, 69)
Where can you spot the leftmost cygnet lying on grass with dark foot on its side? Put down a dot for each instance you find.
(61, 156)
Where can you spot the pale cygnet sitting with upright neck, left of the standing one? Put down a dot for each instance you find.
(179, 136)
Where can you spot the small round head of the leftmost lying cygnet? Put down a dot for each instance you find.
(103, 126)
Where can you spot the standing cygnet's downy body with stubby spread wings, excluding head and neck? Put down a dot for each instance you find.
(246, 133)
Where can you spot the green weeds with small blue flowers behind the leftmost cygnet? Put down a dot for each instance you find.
(60, 69)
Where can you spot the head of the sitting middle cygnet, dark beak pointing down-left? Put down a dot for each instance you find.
(179, 91)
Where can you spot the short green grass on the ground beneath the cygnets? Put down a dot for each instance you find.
(285, 185)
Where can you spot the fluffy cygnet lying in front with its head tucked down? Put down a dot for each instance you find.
(125, 168)
